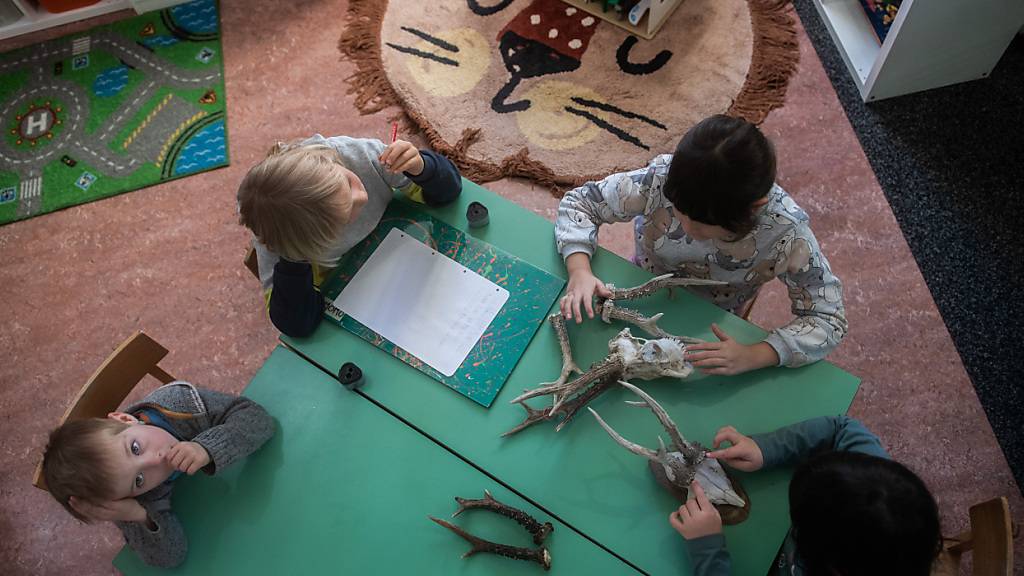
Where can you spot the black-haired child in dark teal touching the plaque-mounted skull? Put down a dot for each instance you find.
(855, 512)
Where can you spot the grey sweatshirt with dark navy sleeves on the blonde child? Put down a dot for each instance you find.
(295, 305)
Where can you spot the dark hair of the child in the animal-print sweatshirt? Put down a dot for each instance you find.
(721, 168)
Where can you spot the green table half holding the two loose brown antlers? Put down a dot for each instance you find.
(346, 488)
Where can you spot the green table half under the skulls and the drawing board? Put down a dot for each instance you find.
(580, 475)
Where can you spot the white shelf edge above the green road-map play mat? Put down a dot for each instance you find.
(34, 18)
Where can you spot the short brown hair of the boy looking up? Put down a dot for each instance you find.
(77, 462)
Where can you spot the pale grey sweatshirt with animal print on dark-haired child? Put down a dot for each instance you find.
(782, 245)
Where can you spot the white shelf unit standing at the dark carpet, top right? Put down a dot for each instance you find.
(931, 44)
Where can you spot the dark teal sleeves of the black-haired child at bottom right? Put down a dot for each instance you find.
(784, 447)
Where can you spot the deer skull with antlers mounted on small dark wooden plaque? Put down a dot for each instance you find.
(687, 462)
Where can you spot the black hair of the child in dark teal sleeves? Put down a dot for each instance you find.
(856, 515)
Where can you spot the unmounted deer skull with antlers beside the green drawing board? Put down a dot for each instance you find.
(628, 358)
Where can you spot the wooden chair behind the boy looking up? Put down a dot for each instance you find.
(112, 383)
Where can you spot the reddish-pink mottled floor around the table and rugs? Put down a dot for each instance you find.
(168, 261)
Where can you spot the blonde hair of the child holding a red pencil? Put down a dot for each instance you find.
(296, 201)
